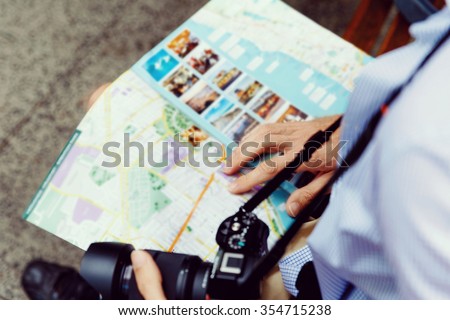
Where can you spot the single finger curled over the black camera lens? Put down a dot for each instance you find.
(147, 275)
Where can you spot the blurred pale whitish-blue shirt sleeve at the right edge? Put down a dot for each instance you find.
(413, 178)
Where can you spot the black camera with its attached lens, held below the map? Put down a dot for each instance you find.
(242, 240)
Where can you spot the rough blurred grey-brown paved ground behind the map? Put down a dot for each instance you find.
(52, 54)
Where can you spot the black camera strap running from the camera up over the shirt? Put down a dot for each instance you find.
(266, 263)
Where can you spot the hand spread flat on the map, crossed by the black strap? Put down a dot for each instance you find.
(288, 139)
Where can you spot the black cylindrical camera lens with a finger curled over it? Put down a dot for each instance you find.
(107, 267)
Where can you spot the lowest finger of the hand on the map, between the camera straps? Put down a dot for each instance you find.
(303, 196)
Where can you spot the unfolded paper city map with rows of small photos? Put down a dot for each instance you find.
(135, 169)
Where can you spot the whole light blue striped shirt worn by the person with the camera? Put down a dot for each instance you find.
(387, 227)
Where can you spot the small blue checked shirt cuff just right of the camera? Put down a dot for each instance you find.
(290, 267)
